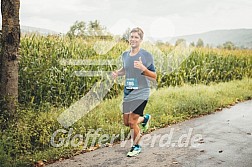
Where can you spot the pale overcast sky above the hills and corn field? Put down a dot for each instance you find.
(158, 18)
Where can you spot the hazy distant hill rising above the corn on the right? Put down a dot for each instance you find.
(240, 37)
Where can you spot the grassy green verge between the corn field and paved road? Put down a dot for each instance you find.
(30, 141)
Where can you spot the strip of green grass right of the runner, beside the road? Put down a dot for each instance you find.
(176, 104)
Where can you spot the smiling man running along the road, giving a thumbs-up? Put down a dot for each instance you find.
(138, 68)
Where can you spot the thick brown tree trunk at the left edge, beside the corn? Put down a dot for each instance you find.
(9, 56)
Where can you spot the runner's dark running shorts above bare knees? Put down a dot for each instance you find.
(135, 106)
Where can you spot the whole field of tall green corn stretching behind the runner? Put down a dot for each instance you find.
(44, 79)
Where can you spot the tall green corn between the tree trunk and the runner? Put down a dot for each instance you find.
(44, 80)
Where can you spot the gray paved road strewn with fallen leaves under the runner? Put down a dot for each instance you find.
(222, 139)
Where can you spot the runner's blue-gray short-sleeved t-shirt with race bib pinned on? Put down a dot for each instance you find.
(137, 86)
